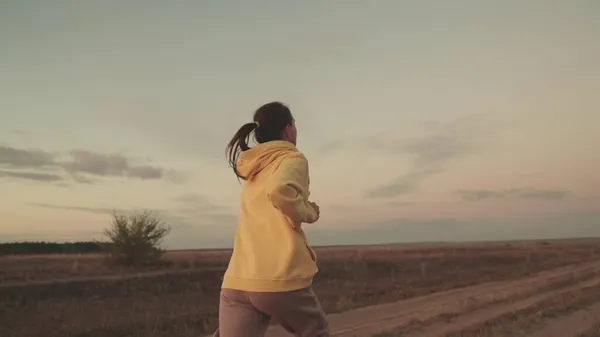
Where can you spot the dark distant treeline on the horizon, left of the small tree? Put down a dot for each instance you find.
(41, 247)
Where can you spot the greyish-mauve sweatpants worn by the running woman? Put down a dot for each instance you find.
(247, 314)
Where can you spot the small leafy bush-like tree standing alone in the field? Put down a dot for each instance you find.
(136, 238)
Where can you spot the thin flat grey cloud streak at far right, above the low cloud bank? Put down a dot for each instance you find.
(518, 193)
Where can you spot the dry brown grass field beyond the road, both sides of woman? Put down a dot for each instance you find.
(181, 298)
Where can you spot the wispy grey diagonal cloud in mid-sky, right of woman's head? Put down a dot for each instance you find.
(430, 153)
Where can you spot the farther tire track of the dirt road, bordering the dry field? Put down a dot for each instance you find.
(368, 321)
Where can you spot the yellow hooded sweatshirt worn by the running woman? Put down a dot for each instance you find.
(270, 251)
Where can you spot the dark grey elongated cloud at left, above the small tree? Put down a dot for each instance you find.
(79, 165)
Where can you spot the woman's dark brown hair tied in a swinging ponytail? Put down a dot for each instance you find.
(272, 118)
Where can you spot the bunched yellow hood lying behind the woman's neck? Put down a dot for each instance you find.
(254, 160)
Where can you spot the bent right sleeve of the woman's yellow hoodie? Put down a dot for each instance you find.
(288, 190)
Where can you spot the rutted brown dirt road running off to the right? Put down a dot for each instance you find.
(468, 309)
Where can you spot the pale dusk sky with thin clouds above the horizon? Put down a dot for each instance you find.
(421, 120)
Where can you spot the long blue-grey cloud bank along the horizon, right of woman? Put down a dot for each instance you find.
(555, 226)
